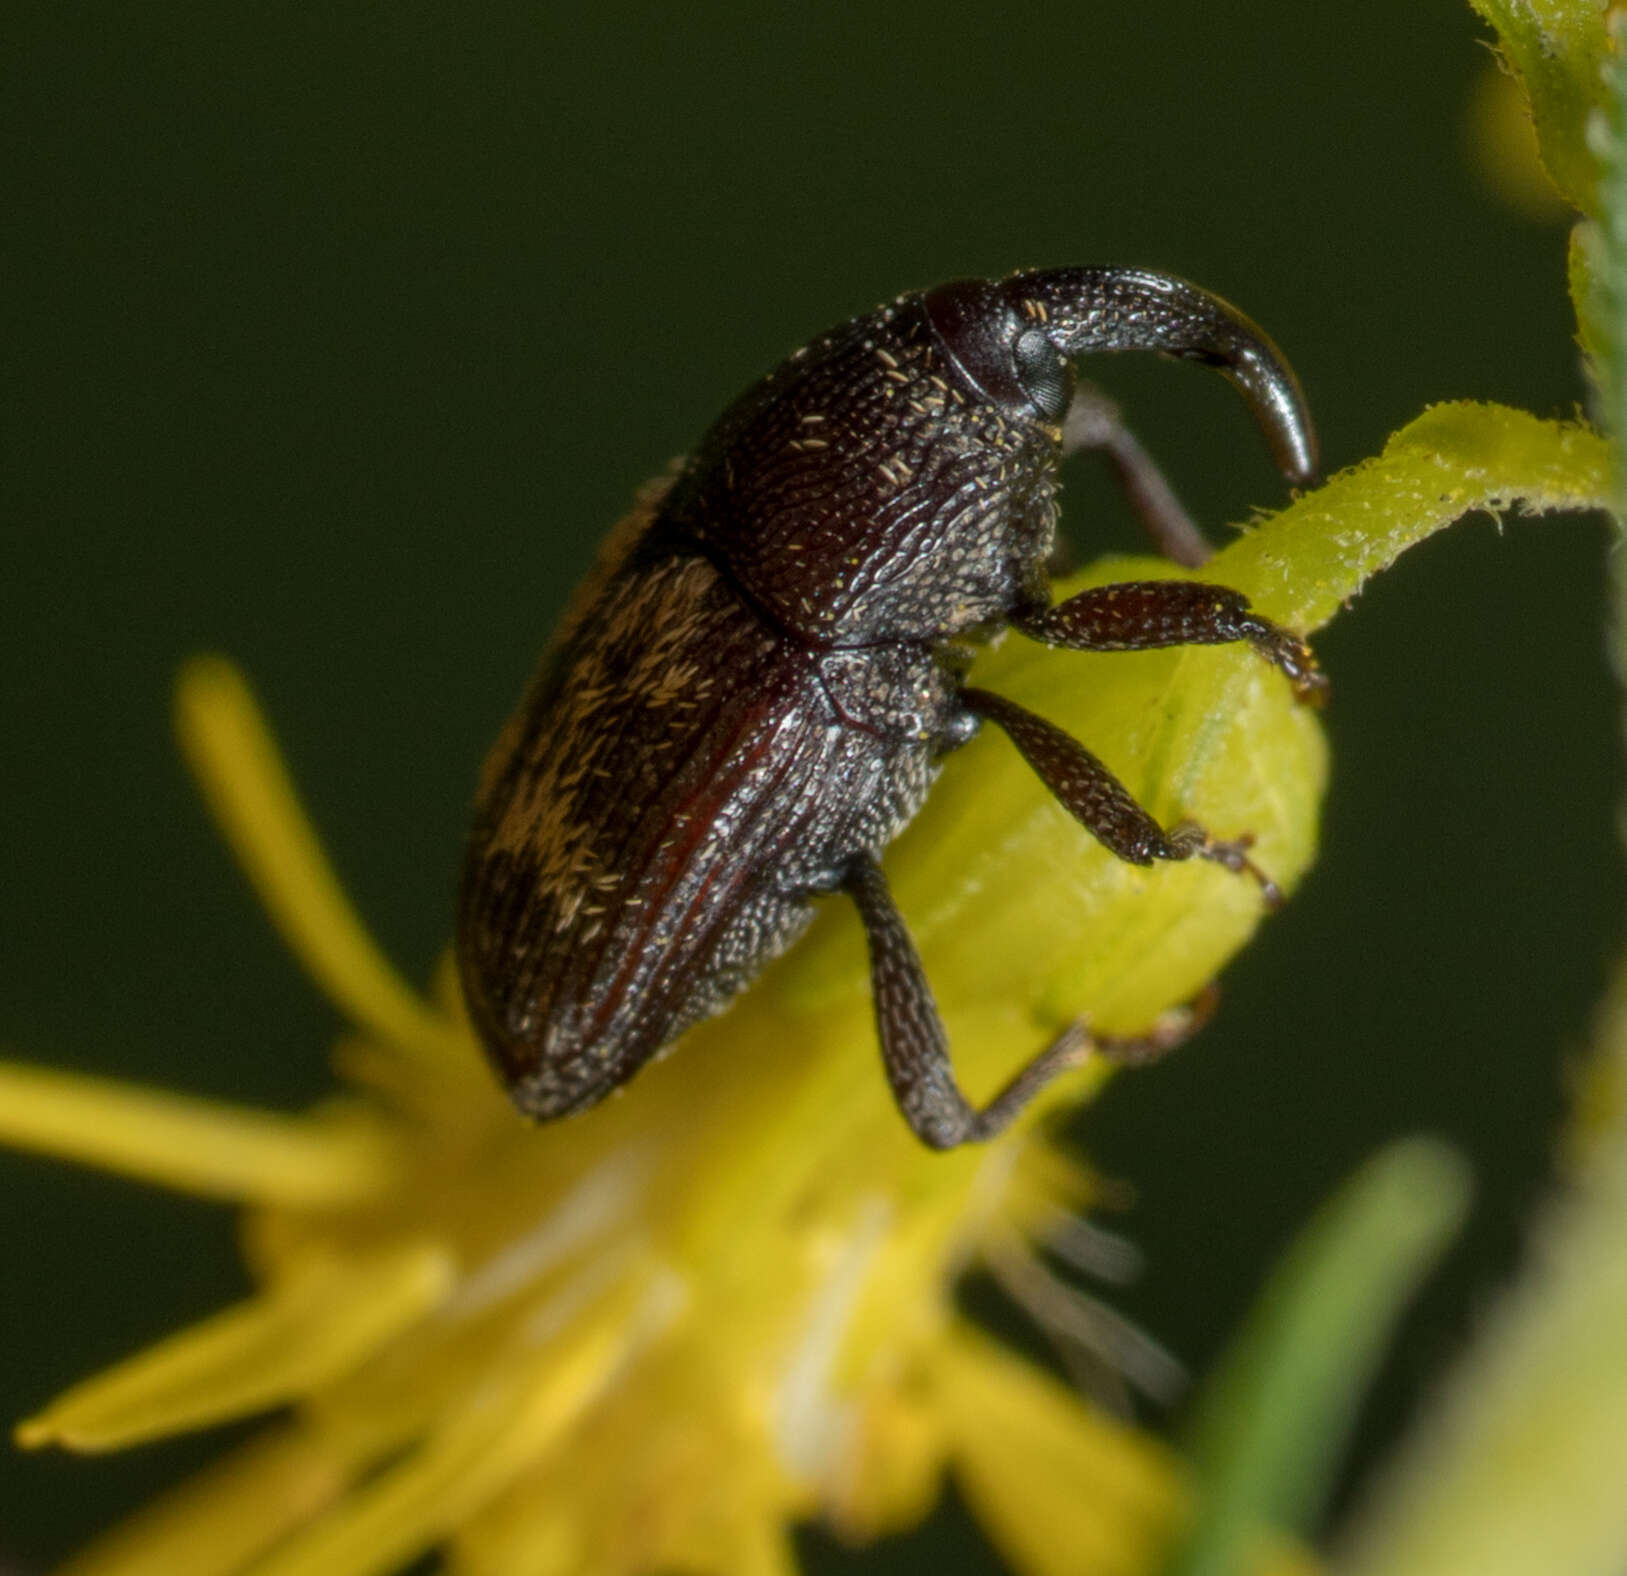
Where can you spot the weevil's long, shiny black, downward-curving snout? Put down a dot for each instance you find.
(1099, 310)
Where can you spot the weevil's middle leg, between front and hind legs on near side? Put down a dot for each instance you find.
(1089, 793)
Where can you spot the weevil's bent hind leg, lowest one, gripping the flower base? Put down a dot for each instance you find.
(915, 1047)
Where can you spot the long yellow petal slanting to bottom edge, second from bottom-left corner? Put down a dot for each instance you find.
(500, 1432)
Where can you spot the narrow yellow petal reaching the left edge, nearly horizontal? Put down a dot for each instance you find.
(196, 1146)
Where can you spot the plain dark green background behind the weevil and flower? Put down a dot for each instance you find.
(339, 333)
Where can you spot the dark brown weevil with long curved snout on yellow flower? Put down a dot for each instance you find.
(756, 687)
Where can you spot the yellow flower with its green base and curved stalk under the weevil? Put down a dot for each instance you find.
(656, 1336)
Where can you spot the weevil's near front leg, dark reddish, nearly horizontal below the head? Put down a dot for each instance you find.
(1143, 616)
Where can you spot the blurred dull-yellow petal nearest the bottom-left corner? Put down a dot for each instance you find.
(229, 1515)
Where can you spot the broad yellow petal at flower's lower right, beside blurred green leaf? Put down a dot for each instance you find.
(1057, 1486)
